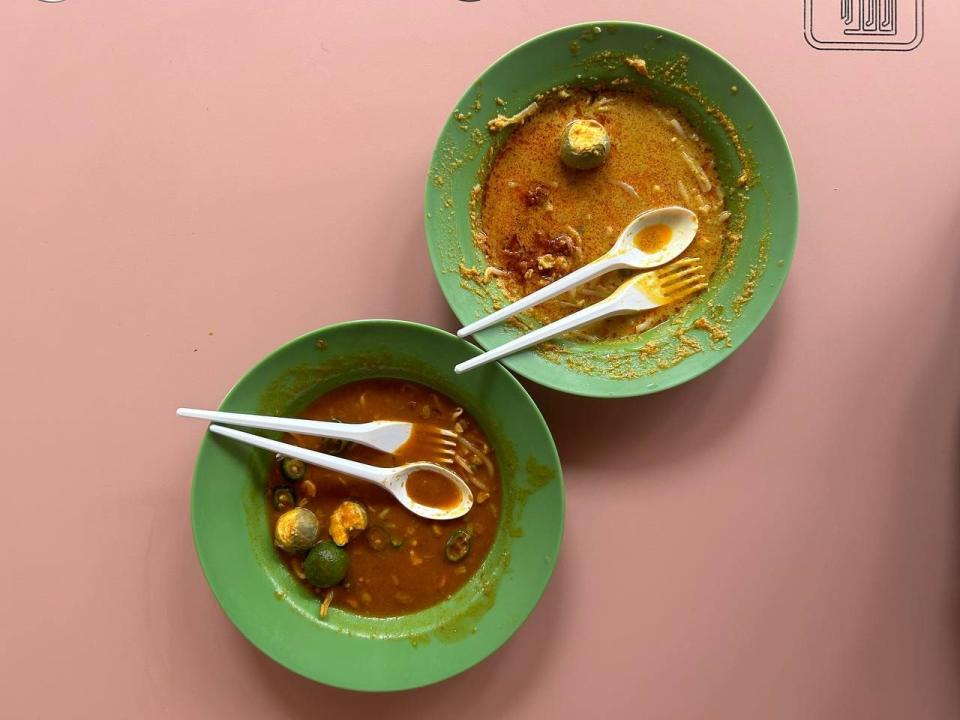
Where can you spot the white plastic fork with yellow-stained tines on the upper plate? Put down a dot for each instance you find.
(644, 292)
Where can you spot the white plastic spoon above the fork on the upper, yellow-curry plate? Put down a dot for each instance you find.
(624, 254)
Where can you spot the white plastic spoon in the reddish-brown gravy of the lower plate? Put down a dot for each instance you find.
(393, 480)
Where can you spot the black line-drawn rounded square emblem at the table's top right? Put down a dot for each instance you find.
(863, 24)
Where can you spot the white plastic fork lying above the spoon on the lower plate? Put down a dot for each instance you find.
(384, 435)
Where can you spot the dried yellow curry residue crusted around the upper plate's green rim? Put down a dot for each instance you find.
(700, 325)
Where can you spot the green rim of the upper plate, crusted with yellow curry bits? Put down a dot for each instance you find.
(709, 91)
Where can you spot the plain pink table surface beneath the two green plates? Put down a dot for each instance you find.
(179, 195)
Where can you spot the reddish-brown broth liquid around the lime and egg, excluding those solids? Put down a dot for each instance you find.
(384, 580)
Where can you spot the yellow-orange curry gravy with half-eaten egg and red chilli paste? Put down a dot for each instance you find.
(543, 213)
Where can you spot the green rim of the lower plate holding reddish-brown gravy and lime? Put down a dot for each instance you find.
(280, 616)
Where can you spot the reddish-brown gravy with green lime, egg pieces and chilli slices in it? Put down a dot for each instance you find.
(351, 542)
